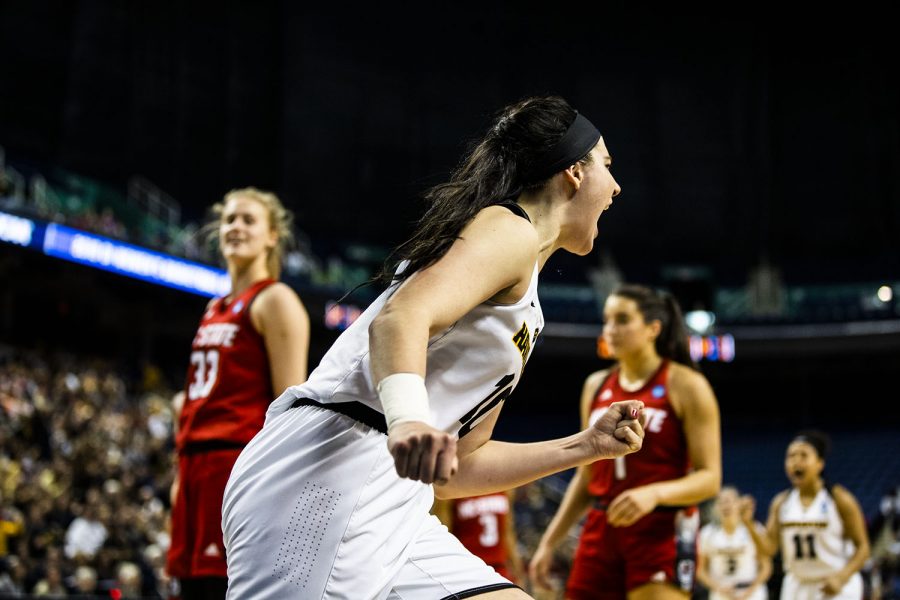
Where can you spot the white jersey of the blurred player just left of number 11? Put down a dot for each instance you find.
(731, 556)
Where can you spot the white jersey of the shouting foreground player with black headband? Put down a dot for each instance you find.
(473, 366)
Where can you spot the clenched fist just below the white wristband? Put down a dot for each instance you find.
(423, 453)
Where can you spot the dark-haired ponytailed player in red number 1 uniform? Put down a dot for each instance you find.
(639, 539)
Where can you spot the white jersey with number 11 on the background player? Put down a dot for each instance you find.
(812, 537)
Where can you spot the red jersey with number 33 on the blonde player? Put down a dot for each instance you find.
(228, 387)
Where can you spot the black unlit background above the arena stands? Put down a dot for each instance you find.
(733, 137)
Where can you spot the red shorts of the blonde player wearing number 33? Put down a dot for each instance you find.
(196, 549)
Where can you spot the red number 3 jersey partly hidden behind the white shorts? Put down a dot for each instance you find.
(479, 523)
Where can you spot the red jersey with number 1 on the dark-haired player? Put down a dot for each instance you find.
(663, 455)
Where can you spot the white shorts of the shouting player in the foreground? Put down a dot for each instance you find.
(314, 509)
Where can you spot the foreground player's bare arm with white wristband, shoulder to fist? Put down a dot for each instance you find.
(493, 258)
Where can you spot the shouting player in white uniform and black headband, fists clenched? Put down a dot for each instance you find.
(323, 504)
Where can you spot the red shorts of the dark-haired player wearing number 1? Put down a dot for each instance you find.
(611, 561)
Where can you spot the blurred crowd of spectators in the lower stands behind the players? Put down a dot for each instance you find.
(86, 462)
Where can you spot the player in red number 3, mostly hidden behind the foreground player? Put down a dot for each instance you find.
(486, 526)
